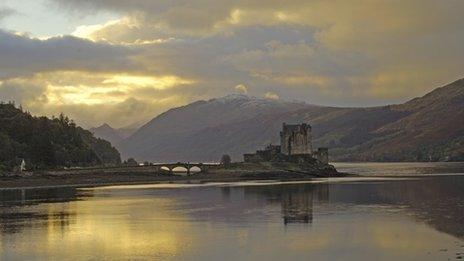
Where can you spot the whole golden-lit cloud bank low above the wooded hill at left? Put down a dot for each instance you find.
(94, 98)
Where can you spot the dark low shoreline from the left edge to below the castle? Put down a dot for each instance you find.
(136, 175)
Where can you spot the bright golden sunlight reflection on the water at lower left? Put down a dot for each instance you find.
(88, 228)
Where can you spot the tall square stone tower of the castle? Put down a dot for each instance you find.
(296, 139)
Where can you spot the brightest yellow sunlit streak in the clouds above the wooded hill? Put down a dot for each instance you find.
(72, 87)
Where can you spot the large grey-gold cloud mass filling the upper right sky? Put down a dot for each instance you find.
(343, 44)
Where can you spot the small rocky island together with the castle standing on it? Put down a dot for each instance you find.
(294, 155)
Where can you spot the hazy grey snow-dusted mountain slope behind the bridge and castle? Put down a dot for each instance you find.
(168, 137)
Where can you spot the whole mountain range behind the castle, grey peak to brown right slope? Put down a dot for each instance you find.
(427, 128)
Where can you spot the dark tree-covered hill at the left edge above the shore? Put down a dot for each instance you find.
(46, 143)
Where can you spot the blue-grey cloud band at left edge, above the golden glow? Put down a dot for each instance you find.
(20, 55)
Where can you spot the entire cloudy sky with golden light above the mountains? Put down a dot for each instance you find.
(123, 62)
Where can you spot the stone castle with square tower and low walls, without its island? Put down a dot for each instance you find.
(295, 146)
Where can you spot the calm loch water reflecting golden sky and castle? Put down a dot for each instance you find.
(418, 218)
